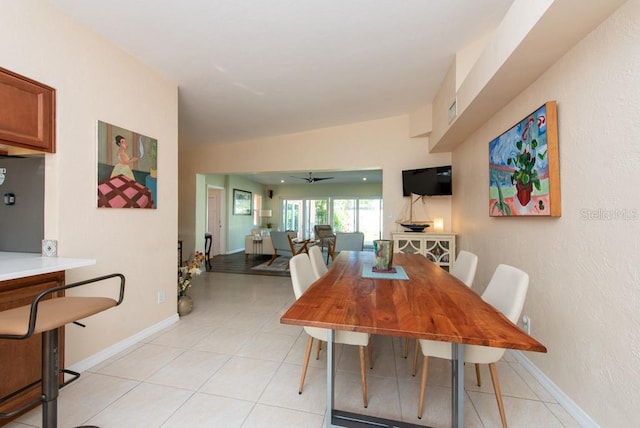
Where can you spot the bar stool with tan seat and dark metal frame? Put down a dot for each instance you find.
(46, 316)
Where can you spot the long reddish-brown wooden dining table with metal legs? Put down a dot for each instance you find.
(430, 304)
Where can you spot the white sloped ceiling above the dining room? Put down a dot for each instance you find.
(254, 68)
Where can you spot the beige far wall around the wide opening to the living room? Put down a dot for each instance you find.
(378, 144)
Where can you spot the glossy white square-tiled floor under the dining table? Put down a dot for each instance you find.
(230, 363)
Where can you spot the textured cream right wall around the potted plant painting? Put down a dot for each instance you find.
(584, 292)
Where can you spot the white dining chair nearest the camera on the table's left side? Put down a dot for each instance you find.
(301, 277)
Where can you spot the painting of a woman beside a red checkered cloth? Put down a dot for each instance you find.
(127, 168)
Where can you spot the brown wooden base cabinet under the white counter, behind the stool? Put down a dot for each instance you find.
(21, 360)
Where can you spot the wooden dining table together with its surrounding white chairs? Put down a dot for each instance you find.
(427, 307)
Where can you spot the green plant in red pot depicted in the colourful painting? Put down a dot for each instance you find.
(525, 177)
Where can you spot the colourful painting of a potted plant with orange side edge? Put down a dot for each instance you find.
(524, 176)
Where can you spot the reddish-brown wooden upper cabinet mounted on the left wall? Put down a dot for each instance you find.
(27, 113)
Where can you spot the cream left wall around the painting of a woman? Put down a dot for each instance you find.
(95, 81)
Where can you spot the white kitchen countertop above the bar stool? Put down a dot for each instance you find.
(20, 265)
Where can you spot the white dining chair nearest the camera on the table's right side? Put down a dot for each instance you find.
(506, 292)
